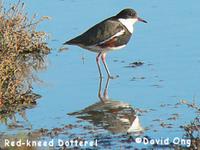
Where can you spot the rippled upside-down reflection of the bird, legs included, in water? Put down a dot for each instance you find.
(112, 115)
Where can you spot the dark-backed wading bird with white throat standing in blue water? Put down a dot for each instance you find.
(110, 34)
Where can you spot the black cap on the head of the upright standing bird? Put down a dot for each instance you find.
(127, 13)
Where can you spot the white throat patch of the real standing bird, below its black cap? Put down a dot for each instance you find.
(128, 23)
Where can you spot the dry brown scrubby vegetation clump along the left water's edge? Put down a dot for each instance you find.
(23, 51)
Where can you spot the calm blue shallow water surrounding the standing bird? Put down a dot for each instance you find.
(168, 45)
